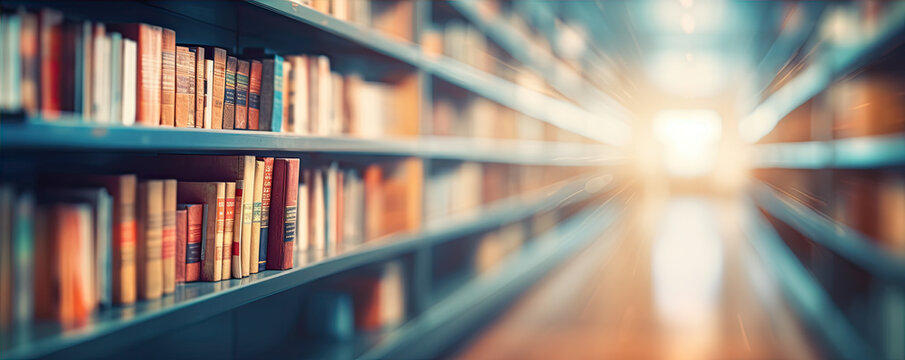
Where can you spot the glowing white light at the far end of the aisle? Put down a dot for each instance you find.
(689, 139)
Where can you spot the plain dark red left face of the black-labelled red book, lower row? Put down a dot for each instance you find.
(277, 215)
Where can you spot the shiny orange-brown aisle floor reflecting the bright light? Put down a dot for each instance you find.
(676, 282)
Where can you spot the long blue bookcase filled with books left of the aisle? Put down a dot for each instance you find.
(416, 152)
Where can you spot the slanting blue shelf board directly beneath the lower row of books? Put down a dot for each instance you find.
(200, 300)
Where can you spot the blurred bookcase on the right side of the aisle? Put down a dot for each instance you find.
(827, 135)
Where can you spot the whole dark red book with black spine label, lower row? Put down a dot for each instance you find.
(283, 213)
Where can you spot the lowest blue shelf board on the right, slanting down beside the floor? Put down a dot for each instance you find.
(811, 302)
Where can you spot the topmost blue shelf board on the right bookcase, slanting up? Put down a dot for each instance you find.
(829, 66)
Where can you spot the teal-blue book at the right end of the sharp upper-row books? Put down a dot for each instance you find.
(271, 115)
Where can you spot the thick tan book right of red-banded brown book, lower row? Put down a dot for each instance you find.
(149, 249)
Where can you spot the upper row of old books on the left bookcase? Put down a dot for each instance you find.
(139, 74)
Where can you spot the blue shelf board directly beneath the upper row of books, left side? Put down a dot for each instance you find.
(74, 135)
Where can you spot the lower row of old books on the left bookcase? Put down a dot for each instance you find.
(78, 242)
